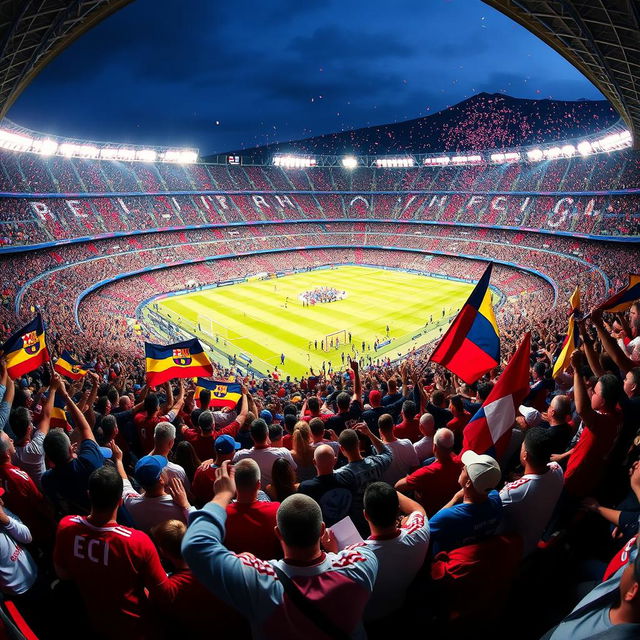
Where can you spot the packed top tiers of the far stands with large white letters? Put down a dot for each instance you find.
(552, 195)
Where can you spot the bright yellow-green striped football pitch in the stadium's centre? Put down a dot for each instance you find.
(251, 317)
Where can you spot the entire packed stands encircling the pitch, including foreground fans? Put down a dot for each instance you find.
(148, 509)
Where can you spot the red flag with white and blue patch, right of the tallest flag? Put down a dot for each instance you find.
(489, 430)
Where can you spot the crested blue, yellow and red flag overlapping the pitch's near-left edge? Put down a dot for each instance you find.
(185, 359)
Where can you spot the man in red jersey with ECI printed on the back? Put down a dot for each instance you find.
(110, 564)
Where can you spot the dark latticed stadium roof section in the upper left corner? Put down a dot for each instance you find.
(33, 32)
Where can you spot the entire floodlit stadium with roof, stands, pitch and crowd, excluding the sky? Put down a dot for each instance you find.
(305, 272)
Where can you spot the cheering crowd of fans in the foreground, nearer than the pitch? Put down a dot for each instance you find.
(155, 511)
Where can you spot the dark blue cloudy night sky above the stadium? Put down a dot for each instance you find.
(223, 75)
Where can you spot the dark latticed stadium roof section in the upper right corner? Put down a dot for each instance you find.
(601, 38)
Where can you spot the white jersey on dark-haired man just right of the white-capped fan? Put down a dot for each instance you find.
(528, 504)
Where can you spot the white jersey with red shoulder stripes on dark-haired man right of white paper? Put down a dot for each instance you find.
(399, 560)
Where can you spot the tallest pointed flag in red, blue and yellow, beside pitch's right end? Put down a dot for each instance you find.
(471, 345)
